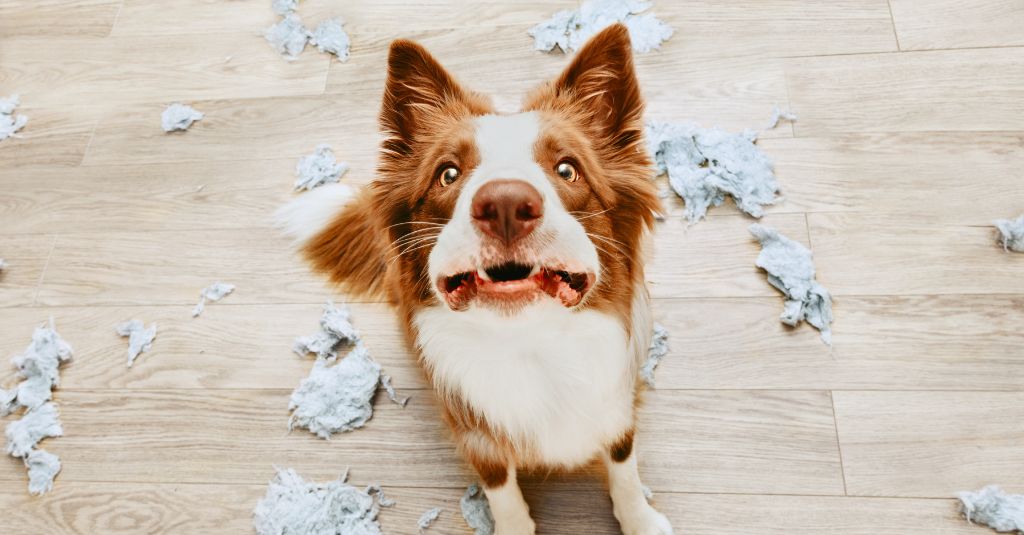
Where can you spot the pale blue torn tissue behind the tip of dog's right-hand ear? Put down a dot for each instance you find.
(570, 30)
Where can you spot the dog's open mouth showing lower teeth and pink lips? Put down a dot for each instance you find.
(515, 283)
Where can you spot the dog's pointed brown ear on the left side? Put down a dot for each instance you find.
(417, 93)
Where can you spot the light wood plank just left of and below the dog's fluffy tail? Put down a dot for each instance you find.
(172, 268)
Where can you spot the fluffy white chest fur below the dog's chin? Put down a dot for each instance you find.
(557, 382)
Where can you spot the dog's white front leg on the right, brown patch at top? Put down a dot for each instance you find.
(635, 516)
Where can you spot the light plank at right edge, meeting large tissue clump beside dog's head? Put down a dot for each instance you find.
(971, 177)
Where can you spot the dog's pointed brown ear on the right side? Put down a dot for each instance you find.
(602, 81)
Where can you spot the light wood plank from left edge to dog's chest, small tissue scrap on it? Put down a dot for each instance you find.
(230, 347)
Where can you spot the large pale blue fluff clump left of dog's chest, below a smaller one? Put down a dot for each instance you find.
(337, 397)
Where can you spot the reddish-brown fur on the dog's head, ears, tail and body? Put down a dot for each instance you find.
(591, 113)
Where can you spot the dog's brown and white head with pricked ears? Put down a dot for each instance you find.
(500, 212)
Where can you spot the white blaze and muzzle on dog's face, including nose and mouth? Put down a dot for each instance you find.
(510, 239)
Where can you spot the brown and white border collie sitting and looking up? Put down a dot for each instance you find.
(513, 248)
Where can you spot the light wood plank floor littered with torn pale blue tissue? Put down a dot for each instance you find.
(911, 141)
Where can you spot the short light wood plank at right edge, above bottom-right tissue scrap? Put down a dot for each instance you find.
(930, 444)
